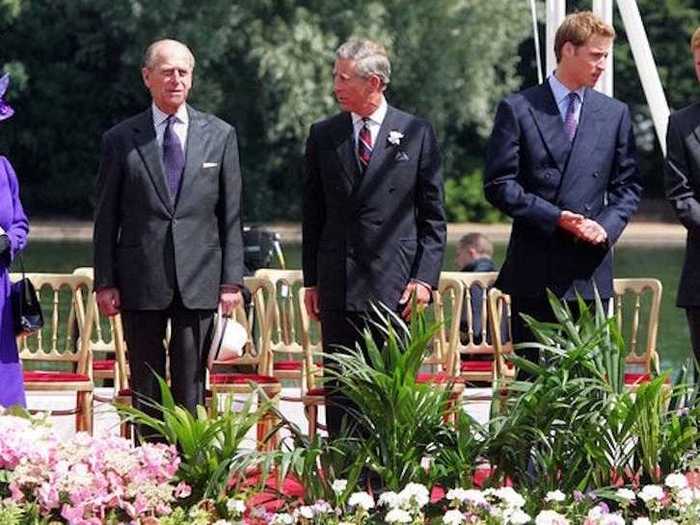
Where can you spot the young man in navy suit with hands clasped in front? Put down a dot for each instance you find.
(562, 162)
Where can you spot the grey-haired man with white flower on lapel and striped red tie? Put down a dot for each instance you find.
(373, 225)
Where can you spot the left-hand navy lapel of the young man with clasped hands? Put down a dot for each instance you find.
(548, 119)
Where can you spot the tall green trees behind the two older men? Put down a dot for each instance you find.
(261, 65)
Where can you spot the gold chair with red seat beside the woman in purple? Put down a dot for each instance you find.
(53, 359)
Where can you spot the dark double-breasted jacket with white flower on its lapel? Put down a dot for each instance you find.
(366, 236)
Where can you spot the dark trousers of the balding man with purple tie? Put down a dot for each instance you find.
(144, 332)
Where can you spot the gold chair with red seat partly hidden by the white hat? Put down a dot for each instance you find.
(253, 370)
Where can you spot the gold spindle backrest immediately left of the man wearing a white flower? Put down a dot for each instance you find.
(286, 332)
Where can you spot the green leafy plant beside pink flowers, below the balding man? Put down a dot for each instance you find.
(210, 446)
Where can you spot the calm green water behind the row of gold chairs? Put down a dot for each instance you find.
(663, 263)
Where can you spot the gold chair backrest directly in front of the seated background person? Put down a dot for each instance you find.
(473, 335)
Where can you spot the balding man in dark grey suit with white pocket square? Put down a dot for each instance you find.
(167, 227)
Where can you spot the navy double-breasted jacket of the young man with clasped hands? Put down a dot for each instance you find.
(533, 173)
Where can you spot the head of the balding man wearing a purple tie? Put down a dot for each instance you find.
(169, 79)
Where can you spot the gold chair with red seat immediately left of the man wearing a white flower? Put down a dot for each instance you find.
(286, 345)
